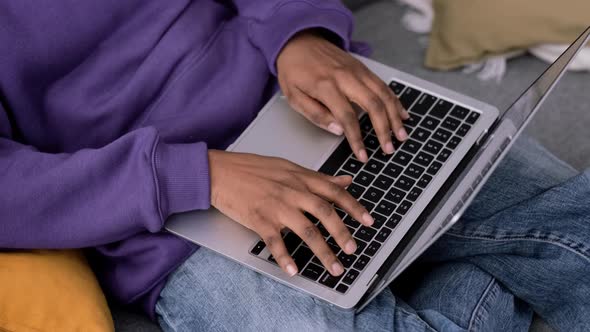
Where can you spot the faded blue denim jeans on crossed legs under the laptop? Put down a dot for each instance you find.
(523, 247)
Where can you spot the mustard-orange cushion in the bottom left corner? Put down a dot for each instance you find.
(45, 290)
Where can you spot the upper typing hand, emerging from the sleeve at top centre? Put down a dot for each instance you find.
(320, 81)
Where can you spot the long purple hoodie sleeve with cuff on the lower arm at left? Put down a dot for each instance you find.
(94, 197)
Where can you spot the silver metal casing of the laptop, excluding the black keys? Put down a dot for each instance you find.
(281, 132)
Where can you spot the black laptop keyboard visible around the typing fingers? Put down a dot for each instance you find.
(388, 185)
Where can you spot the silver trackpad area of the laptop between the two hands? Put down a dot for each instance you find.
(279, 131)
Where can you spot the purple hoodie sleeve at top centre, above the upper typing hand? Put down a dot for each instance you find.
(271, 23)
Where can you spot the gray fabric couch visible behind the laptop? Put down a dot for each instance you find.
(562, 125)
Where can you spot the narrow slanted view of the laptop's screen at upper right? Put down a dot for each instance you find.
(525, 107)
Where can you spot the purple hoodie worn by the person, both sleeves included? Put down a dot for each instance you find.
(107, 109)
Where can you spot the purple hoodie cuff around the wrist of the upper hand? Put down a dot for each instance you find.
(271, 35)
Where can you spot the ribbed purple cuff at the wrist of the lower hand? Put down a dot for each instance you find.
(182, 176)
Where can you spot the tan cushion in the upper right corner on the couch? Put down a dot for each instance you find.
(467, 31)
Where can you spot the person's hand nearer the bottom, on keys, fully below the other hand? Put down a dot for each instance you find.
(270, 194)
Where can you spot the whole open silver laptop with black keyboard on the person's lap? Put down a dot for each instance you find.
(415, 195)
